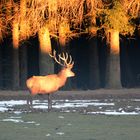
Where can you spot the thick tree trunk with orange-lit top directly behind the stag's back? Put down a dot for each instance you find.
(46, 63)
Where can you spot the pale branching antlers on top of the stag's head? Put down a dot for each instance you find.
(63, 57)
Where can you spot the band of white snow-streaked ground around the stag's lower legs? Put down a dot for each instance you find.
(90, 107)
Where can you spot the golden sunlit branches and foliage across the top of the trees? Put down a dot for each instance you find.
(62, 17)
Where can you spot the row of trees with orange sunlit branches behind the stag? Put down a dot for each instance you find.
(55, 24)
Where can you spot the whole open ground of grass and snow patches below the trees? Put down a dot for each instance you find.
(93, 117)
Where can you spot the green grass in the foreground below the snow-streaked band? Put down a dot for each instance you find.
(68, 126)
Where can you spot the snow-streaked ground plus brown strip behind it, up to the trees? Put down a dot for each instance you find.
(107, 102)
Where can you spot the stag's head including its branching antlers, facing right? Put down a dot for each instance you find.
(66, 62)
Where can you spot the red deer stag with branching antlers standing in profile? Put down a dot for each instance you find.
(50, 83)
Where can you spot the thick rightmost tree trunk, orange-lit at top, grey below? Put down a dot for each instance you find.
(113, 76)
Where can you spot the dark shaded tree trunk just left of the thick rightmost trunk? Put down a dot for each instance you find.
(94, 78)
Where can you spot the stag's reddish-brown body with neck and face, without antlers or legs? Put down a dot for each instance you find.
(49, 83)
